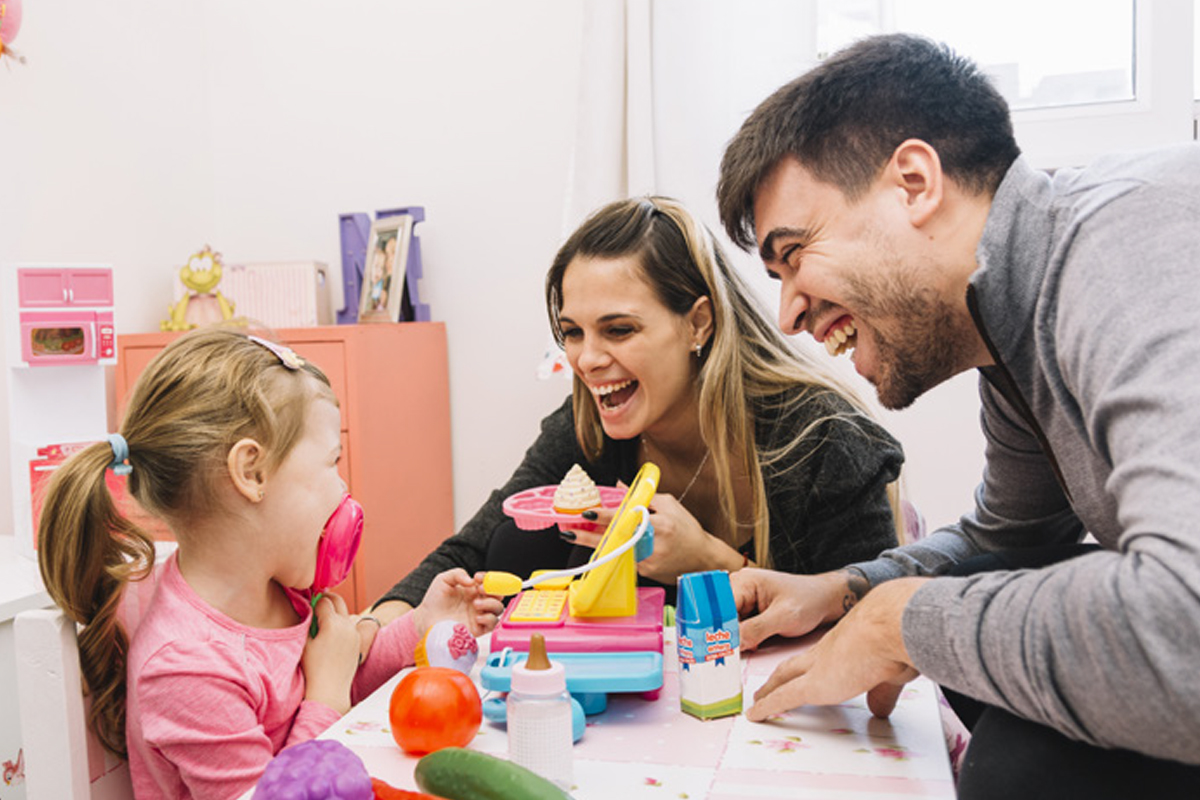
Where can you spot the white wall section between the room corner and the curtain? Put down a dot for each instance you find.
(465, 109)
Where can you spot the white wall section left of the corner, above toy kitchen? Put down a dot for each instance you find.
(98, 161)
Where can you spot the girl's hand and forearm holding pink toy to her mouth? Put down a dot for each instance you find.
(332, 658)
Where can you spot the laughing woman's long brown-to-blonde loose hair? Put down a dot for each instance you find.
(747, 364)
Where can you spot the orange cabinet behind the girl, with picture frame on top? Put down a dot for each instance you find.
(394, 388)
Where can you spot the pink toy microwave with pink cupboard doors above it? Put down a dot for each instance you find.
(67, 316)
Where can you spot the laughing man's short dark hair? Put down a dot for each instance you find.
(844, 119)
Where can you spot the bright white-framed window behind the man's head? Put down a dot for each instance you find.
(1084, 77)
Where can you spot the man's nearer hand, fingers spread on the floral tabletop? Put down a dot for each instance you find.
(863, 653)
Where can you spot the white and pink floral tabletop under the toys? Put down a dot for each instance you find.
(643, 748)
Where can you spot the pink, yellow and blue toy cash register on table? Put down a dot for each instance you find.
(605, 629)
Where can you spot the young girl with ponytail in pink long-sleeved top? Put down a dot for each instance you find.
(235, 442)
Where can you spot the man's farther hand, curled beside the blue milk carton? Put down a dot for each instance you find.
(789, 605)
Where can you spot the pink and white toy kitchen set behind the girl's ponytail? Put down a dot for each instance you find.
(59, 338)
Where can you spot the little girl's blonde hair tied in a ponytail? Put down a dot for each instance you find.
(199, 398)
